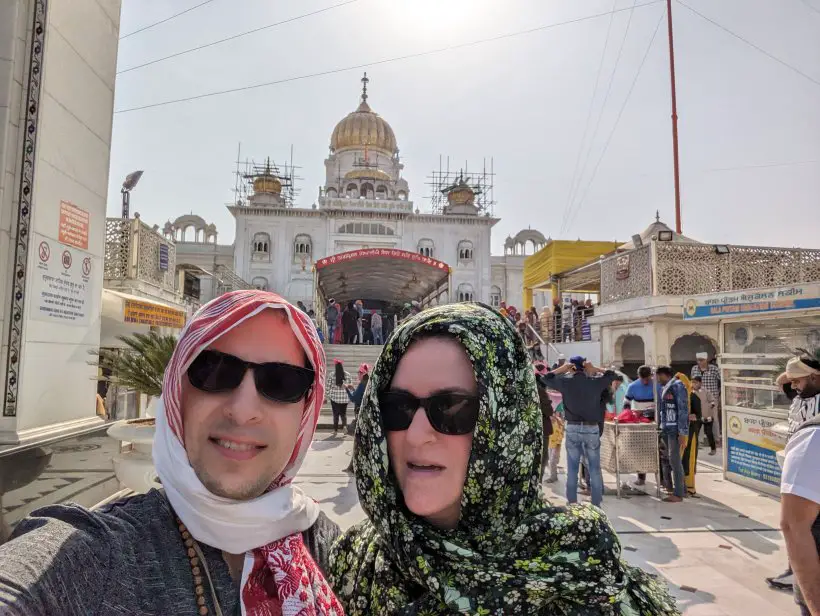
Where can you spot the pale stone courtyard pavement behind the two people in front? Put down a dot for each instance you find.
(714, 551)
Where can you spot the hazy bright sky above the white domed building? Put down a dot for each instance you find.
(570, 98)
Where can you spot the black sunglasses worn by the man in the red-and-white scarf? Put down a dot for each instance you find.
(216, 372)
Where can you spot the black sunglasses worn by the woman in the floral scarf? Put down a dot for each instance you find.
(448, 412)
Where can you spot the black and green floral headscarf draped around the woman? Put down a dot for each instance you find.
(512, 552)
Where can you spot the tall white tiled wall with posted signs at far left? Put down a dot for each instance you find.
(72, 159)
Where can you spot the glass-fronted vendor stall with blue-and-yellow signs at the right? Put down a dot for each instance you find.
(759, 330)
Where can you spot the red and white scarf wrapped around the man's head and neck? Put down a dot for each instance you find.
(267, 529)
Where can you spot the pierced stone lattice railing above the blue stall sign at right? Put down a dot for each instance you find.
(670, 268)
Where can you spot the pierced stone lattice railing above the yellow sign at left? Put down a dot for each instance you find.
(132, 253)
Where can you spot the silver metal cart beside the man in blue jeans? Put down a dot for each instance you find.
(631, 448)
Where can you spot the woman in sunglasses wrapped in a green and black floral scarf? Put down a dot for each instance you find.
(457, 521)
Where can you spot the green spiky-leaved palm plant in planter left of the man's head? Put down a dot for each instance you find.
(139, 366)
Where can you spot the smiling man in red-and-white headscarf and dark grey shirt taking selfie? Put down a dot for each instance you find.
(229, 532)
